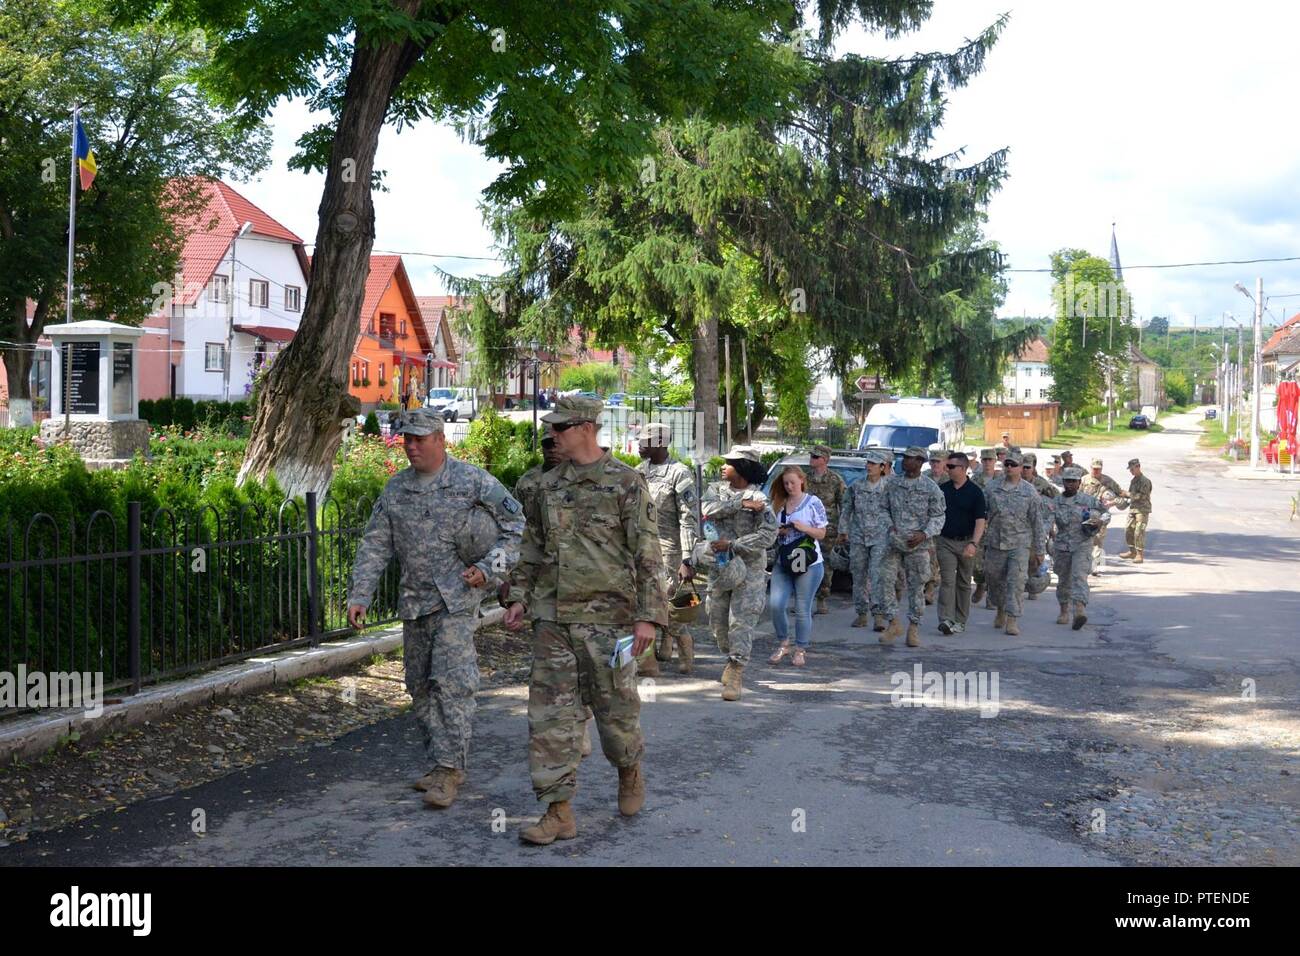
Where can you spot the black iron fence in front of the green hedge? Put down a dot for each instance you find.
(157, 596)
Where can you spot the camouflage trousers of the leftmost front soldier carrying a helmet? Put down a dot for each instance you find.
(443, 677)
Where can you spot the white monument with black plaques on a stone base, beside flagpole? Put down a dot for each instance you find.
(96, 373)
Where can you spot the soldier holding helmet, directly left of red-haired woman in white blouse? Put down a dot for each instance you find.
(747, 527)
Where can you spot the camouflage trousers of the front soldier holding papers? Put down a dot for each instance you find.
(571, 673)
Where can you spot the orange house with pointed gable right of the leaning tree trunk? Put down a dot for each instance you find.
(392, 343)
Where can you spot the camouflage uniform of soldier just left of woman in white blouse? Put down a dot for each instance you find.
(734, 615)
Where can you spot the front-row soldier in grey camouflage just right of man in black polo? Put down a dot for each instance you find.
(1017, 535)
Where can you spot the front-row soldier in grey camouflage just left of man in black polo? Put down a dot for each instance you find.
(916, 509)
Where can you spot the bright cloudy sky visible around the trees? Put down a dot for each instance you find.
(1171, 119)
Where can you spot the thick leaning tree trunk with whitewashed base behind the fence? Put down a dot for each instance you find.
(297, 427)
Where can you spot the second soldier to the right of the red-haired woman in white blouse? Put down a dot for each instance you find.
(865, 525)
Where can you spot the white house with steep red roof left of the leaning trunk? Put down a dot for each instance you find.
(240, 266)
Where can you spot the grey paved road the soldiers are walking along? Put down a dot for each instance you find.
(1128, 742)
